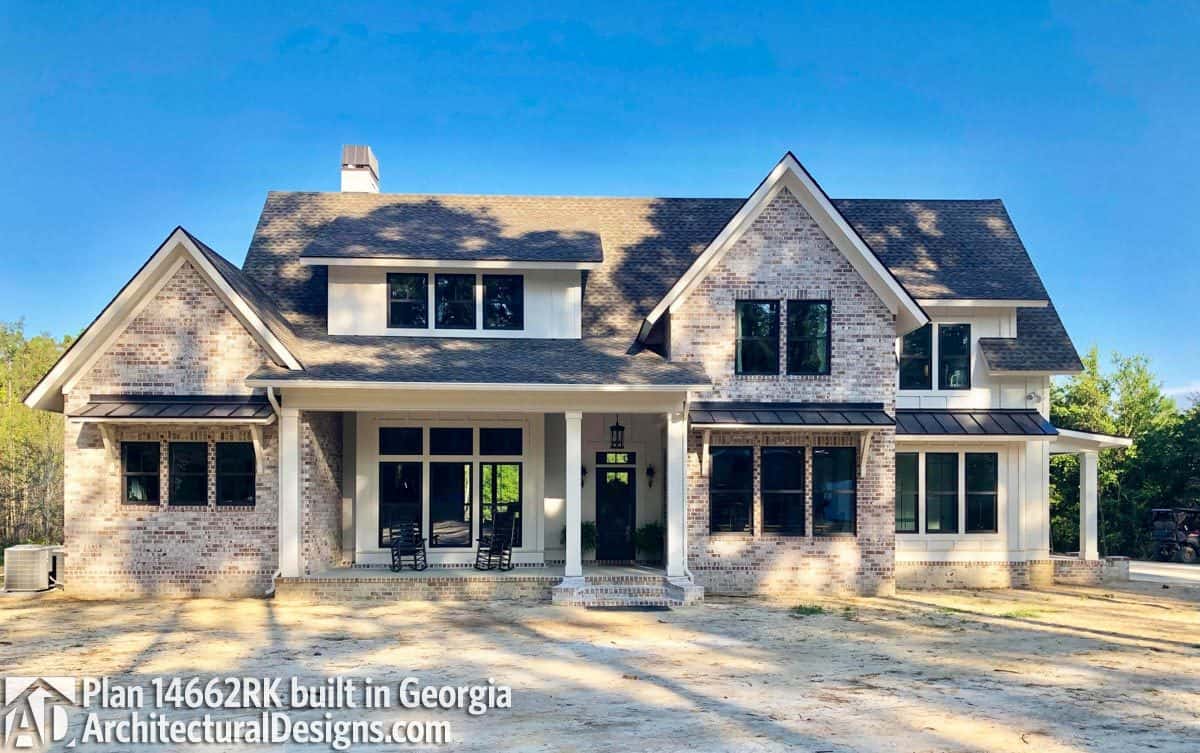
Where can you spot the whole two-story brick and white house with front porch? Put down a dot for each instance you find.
(805, 394)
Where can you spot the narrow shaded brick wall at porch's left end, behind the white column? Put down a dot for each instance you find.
(321, 491)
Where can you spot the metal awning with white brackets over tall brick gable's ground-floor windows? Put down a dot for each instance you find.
(863, 419)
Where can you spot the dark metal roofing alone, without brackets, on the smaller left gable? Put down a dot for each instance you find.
(165, 408)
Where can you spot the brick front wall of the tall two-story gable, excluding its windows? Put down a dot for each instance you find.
(784, 256)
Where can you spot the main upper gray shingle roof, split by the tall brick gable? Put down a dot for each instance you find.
(938, 250)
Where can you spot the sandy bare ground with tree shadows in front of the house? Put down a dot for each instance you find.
(1040, 672)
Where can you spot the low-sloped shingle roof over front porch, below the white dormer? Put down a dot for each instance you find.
(482, 362)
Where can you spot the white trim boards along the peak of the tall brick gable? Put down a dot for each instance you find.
(790, 176)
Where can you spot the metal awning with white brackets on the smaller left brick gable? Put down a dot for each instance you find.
(109, 411)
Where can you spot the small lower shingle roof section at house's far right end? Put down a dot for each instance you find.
(1042, 345)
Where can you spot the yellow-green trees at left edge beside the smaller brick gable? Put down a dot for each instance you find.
(31, 442)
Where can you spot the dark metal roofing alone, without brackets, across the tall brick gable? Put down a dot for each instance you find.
(829, 415)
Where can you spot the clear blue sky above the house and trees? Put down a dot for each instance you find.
(121, 123)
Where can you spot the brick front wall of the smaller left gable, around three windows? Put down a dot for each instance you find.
(184, 342)
